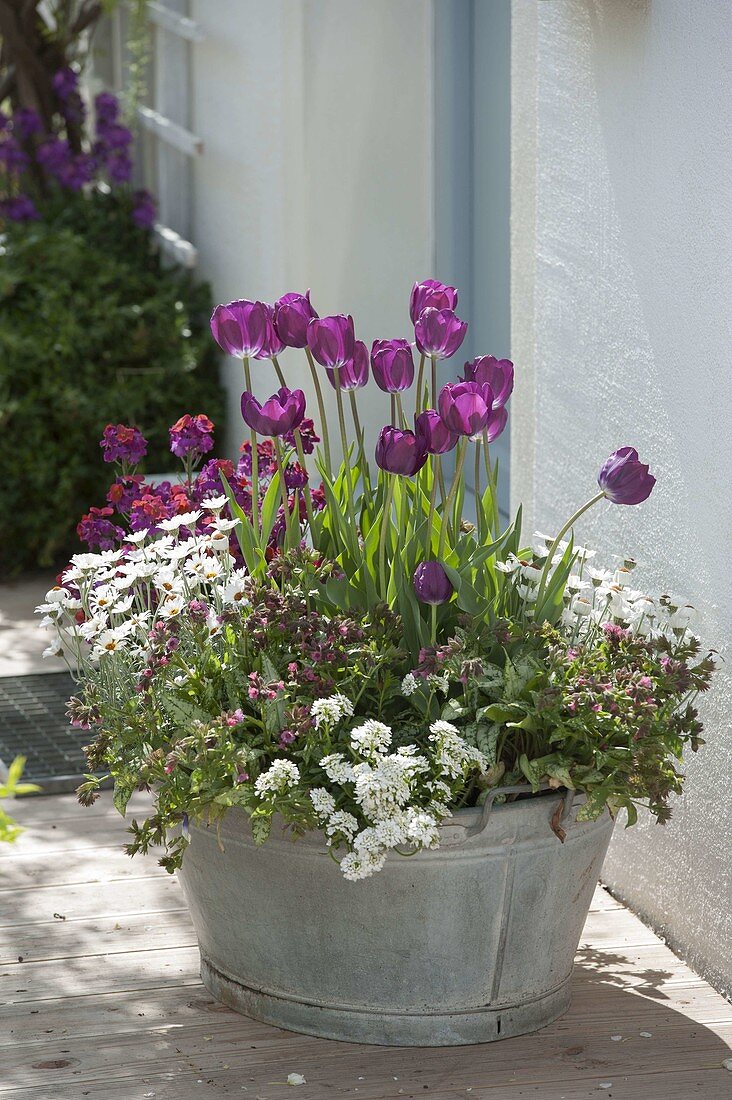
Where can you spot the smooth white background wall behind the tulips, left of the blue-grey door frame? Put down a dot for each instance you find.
(316, 118)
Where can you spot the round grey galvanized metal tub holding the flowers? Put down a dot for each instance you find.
(471, 943)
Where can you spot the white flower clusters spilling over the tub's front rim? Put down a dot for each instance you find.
(400, 802)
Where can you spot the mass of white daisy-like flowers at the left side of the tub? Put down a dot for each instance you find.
(111, 601)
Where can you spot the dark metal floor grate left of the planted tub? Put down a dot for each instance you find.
(34, 724)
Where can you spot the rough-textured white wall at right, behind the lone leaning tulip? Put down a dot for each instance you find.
(622, 235)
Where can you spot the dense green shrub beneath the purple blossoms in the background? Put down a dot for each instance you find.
(94, 331)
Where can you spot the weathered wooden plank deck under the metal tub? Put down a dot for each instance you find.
(101, 998)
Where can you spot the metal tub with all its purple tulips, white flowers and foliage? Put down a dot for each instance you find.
(386, 743)
